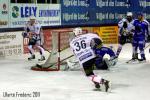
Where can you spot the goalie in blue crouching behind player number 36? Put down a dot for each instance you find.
(101, 51)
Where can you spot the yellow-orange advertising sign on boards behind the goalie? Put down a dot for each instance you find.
(109, 34)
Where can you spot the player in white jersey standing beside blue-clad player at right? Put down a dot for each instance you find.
(125, 31)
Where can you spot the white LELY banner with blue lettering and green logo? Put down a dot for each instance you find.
(46, 14)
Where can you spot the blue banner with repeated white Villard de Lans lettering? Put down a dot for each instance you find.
(83, 12)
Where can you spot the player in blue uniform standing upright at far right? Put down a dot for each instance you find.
(139, 37)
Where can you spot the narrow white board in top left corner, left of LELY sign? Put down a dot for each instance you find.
(4, 13)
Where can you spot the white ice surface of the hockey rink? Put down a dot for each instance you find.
(129, 81)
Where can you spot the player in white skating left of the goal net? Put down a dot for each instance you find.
(33, 32)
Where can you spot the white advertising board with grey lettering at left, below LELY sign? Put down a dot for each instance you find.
(11, 44)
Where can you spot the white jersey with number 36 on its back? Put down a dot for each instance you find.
(81, 47)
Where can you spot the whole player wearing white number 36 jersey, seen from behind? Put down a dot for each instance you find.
(81, 46)
